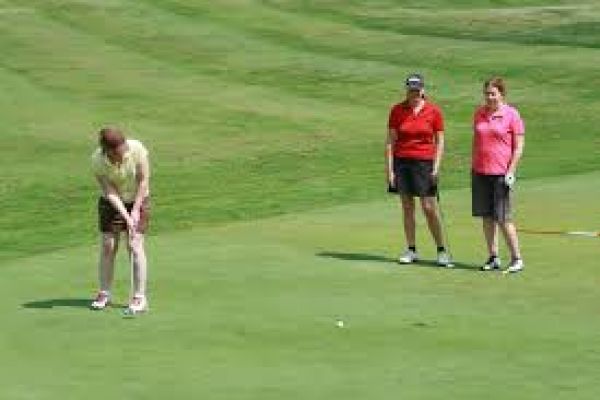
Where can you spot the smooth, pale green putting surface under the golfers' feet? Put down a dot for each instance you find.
(249, 310)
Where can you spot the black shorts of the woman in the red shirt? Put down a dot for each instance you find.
(413, 177)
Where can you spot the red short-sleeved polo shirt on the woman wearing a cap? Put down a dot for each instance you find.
(416, 134)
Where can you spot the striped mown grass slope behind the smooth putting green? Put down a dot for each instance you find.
(253, 109)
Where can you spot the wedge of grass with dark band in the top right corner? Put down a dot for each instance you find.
(569, 23)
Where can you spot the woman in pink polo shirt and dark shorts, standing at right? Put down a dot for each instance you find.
(497, 148)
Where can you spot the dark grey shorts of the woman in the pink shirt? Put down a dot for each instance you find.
(491, 198)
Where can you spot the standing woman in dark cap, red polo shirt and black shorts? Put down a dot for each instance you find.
(414, 149)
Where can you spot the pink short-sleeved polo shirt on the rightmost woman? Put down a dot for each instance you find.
(494, 139)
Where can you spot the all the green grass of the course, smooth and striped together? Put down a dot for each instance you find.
(265, 121)
